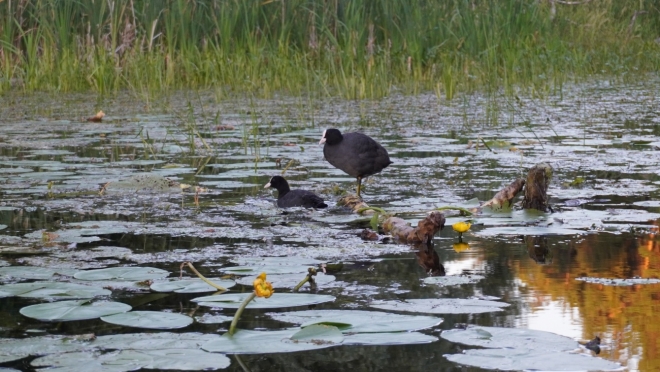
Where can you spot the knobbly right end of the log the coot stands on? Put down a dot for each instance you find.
(423, 233)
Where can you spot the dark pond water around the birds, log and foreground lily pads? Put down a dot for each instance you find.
(601, 140)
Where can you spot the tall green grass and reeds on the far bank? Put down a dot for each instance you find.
(352, 49)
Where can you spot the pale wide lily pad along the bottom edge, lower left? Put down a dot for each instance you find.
(130, 360)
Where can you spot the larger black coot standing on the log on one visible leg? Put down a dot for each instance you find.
(355, 153)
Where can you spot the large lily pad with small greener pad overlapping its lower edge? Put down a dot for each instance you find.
(358, 321)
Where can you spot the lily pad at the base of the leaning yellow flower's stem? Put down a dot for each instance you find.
(268, 342)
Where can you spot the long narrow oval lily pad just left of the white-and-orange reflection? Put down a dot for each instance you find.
(441, 305)
